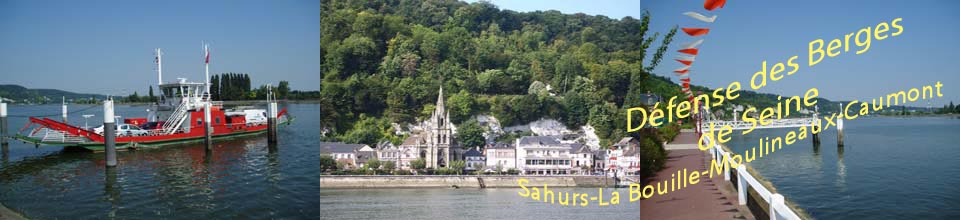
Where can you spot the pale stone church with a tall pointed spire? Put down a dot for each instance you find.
(435, 142)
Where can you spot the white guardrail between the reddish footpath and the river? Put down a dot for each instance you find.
(777, 208)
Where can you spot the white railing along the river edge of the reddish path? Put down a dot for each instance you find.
(744, 180)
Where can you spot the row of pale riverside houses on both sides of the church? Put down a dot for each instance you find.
(531, 155)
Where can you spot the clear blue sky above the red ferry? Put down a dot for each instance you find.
(107, 47)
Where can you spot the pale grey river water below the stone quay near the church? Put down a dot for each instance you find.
(465, 203)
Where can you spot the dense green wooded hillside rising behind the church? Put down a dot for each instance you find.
(387, 59)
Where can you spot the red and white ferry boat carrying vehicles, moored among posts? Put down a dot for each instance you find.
(176, 117)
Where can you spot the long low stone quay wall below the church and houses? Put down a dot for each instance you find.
(458, 181)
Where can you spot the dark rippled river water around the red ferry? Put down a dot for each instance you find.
(242, 179)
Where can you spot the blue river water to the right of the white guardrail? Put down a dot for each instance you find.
(889, 168)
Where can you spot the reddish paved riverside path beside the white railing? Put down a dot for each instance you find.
(712, 198)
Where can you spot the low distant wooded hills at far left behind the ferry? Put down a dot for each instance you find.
(20, 94)
